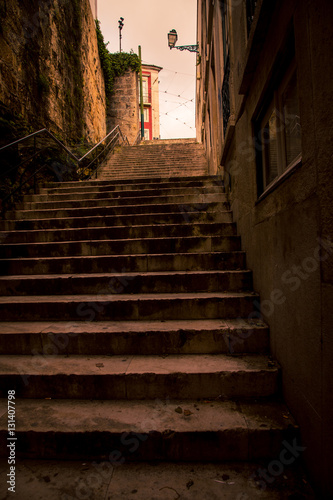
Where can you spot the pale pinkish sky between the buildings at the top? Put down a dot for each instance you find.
(147, 23)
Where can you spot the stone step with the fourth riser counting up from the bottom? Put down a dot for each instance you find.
(126, 307)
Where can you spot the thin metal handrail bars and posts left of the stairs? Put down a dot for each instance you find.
(113, 137)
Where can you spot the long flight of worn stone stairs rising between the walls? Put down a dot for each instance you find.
(129, 330)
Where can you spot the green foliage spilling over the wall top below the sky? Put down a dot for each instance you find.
(114, 65)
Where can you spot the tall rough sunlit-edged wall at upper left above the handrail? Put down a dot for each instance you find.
(50, 71)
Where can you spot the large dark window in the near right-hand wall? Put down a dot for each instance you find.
(279, 132)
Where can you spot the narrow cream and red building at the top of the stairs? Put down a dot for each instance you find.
(150, 84)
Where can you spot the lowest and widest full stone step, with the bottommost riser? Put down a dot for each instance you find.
(116, 431)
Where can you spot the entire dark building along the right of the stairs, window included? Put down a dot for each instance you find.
(264, 114)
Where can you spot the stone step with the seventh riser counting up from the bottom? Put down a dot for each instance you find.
(122, 247)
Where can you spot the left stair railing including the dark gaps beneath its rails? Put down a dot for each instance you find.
(41, 150)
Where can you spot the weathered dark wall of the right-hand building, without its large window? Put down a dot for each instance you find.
(288, 233)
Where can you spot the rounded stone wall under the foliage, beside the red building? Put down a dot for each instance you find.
(123, 107)
